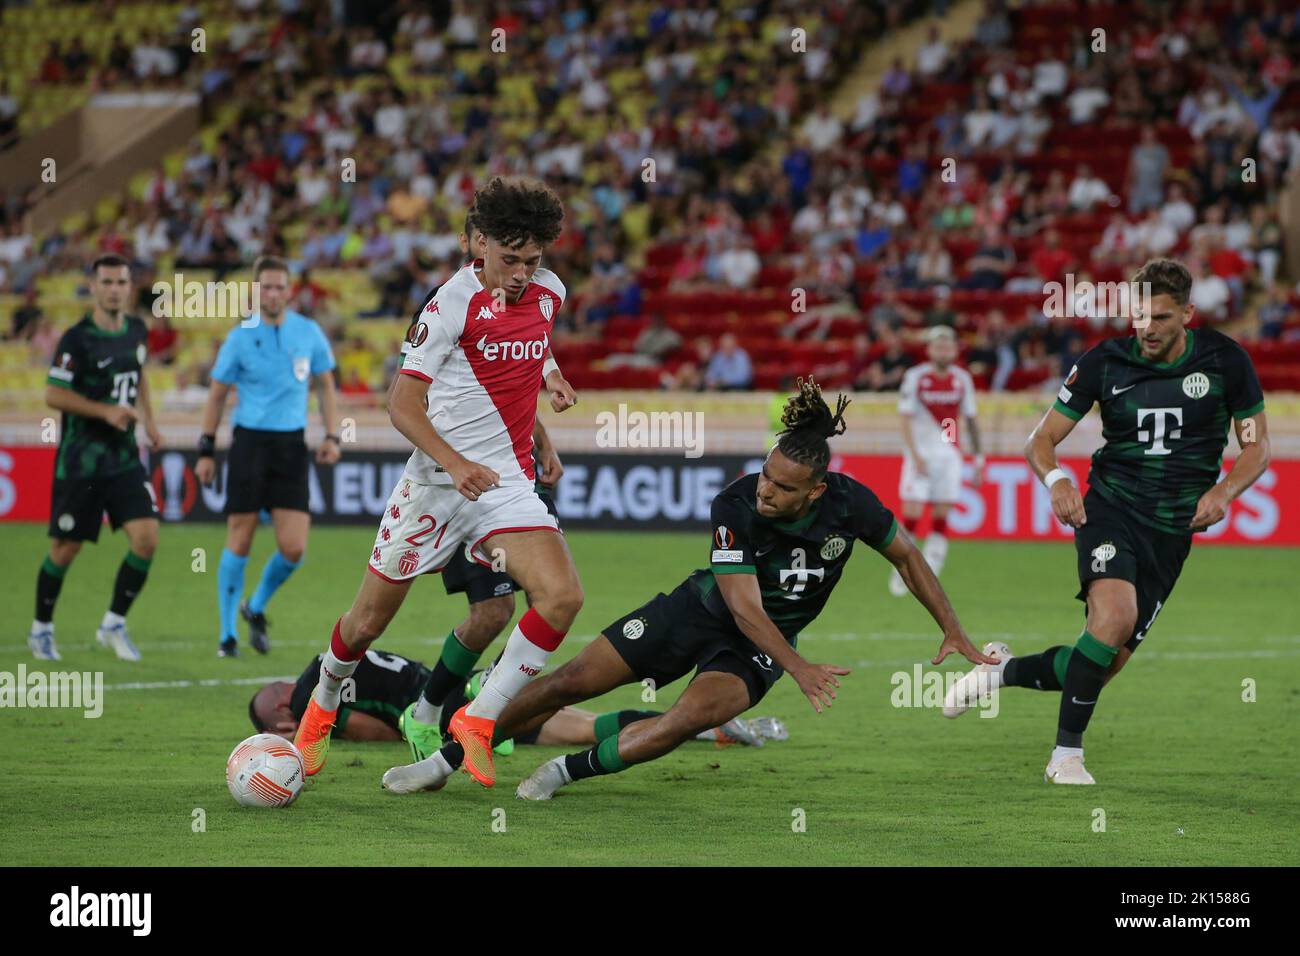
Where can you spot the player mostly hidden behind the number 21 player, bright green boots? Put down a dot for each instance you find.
(489, 592)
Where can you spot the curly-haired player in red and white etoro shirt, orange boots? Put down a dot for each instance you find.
(467, 400)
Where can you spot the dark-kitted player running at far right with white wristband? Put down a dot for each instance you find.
(1167, 397)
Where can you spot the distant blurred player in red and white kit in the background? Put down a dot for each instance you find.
(931, 400)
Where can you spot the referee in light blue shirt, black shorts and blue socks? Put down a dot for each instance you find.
(271, 358)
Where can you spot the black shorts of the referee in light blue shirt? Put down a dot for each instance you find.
(266, 470)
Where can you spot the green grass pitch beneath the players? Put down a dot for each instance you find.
(1190, 775)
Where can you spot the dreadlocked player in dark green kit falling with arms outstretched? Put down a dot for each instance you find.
(781, 542)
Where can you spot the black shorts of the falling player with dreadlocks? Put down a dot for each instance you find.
(673, 634)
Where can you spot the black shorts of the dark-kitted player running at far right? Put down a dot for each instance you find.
(1113, 544)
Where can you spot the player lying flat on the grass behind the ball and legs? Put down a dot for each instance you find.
(387, 687)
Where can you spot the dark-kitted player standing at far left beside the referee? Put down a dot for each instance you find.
(98, 383)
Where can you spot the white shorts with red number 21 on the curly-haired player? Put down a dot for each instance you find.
(424, 526)
